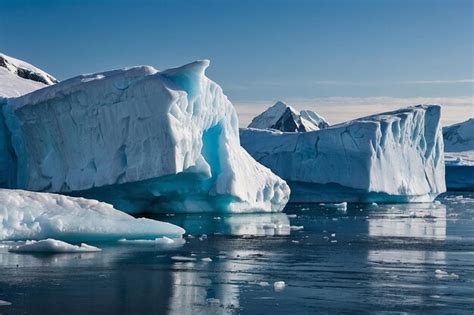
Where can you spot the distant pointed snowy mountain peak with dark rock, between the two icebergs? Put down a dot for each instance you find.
(285, 118)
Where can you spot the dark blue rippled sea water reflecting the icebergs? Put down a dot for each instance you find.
(371, 259)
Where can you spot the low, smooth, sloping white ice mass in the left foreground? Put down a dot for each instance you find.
(26, 215)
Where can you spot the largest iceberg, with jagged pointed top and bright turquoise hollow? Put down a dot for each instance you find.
(140, 139)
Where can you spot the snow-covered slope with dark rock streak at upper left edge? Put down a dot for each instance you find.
(18, 77)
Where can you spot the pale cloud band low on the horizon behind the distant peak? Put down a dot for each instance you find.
(339, 109)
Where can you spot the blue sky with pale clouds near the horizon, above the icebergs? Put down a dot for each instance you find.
(343, 59)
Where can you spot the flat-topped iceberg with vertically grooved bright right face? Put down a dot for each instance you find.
(390, 157)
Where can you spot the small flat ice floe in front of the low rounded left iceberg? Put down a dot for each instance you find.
(52, 246)
